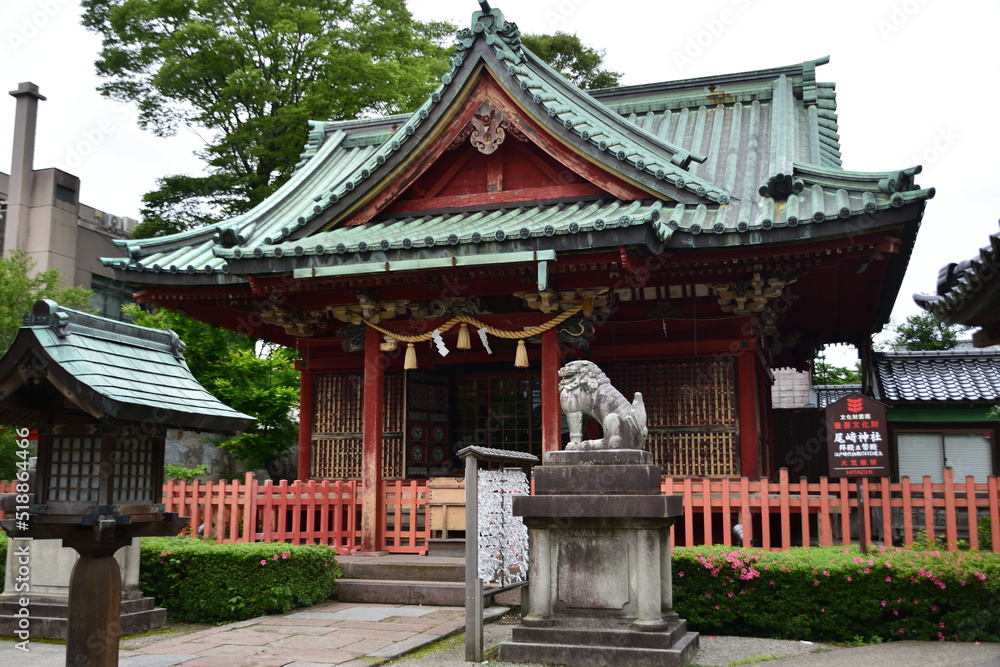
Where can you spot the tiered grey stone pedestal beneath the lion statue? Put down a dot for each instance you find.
(600, 588)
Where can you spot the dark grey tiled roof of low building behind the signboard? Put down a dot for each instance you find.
(959, 375)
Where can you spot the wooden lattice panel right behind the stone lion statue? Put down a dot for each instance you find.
(691, 412)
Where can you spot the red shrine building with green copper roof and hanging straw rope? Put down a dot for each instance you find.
(435, 269)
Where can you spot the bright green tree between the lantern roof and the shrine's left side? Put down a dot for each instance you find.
(265, 385)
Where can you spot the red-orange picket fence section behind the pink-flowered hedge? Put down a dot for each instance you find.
(783, 514)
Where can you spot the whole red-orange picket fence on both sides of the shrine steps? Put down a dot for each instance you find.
(773, 515)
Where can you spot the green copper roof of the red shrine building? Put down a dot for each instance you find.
(743, 159)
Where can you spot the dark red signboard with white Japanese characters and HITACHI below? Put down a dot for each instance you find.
(857, 437)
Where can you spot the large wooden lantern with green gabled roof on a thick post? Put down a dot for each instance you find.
(101, 395)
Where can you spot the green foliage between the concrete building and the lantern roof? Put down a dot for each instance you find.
(19, 291)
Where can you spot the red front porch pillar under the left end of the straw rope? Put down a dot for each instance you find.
(371, 451)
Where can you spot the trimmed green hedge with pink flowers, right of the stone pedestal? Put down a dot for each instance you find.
(839, 595)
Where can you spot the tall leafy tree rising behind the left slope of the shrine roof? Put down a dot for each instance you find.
(252, 72)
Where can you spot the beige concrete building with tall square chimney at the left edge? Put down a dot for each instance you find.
(41, 214)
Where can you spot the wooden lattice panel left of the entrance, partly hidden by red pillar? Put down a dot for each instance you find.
(338, 424)
